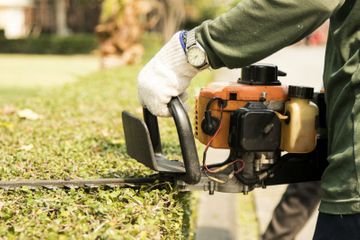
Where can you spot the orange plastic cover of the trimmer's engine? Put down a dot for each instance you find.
(237, 96)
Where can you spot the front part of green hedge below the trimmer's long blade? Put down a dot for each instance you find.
(79, 214)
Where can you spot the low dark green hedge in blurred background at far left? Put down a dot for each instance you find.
(50, 44)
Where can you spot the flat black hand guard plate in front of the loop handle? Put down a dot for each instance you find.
(140, 147)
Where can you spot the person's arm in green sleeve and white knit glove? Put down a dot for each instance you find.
(249, 32)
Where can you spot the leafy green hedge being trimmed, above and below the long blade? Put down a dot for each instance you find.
(80, 136)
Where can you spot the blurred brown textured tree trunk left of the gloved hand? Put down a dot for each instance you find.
(122, 24)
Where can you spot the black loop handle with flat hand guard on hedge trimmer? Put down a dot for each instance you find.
(143, 143)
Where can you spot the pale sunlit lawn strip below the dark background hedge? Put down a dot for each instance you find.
(33, 71)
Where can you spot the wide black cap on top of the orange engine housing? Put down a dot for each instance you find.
(261, 74)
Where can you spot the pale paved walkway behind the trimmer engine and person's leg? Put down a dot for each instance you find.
(218, 213)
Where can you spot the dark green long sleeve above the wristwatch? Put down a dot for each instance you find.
(255, 29)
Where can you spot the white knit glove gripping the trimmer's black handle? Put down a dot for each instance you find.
(167, 75)
